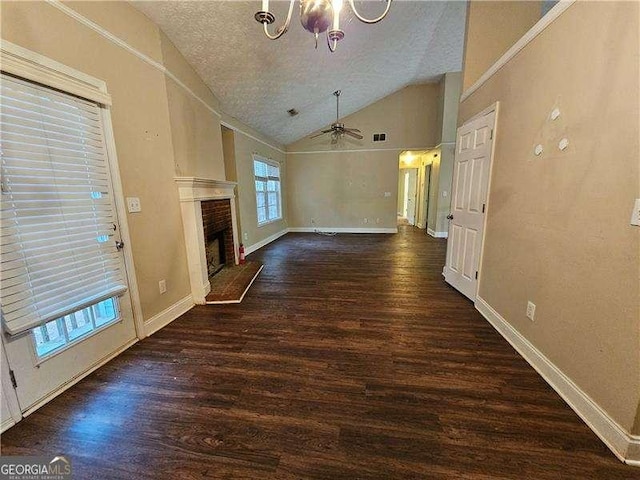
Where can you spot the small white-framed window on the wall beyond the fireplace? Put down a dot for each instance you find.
(268, 198)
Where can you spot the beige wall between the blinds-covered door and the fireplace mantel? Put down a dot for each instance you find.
(157, 128)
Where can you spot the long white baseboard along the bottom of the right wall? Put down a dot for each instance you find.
(624, 445)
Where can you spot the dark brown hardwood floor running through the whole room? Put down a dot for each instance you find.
(349, 358)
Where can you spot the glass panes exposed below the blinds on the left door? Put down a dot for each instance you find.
(56, 334)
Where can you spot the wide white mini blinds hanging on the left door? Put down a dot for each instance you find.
(58, 219)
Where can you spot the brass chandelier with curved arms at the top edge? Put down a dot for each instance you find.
(316, 17)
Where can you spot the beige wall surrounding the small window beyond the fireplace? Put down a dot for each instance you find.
(244, 146)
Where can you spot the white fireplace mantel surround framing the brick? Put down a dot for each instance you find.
(192, 191)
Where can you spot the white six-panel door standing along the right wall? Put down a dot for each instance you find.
(468, 203)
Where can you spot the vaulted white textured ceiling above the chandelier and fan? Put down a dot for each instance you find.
(258, 80)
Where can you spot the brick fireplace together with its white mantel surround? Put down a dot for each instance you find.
(209, 221)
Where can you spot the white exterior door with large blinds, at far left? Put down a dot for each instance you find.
(43, 359)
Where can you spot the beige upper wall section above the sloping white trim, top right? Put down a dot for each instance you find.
(492, 28)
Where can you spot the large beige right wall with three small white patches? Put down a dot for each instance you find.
(558, 230)
